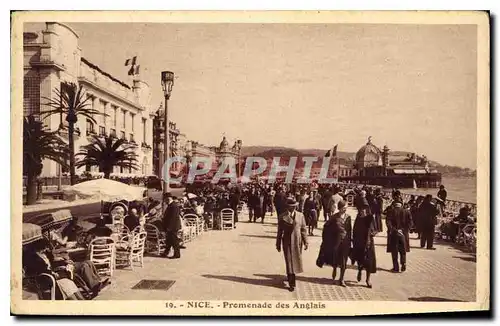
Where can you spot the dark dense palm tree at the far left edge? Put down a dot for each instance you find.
(38, 144)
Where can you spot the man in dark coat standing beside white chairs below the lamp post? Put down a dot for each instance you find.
(172, 225)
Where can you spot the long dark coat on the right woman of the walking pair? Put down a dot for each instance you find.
(363, 249)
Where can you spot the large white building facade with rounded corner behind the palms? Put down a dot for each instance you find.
(53, 56)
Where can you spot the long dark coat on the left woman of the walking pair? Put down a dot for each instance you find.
(336, 241)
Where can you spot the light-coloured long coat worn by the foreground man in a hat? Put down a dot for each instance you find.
(292, 238)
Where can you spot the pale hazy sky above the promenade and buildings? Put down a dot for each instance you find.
(410, 87)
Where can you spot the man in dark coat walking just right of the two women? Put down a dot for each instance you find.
(398, 223)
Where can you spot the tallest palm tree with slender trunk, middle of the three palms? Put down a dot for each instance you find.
(71, 101)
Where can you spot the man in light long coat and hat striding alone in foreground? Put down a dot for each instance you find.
(292, 237)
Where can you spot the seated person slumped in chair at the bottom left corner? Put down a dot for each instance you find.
(38, 259)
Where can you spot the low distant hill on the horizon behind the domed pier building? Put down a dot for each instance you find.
(345, 158)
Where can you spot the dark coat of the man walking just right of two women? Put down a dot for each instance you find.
(398, 218)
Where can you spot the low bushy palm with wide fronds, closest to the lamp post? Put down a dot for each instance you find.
(106, 153)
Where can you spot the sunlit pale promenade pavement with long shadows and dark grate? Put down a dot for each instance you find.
(243, 264)
